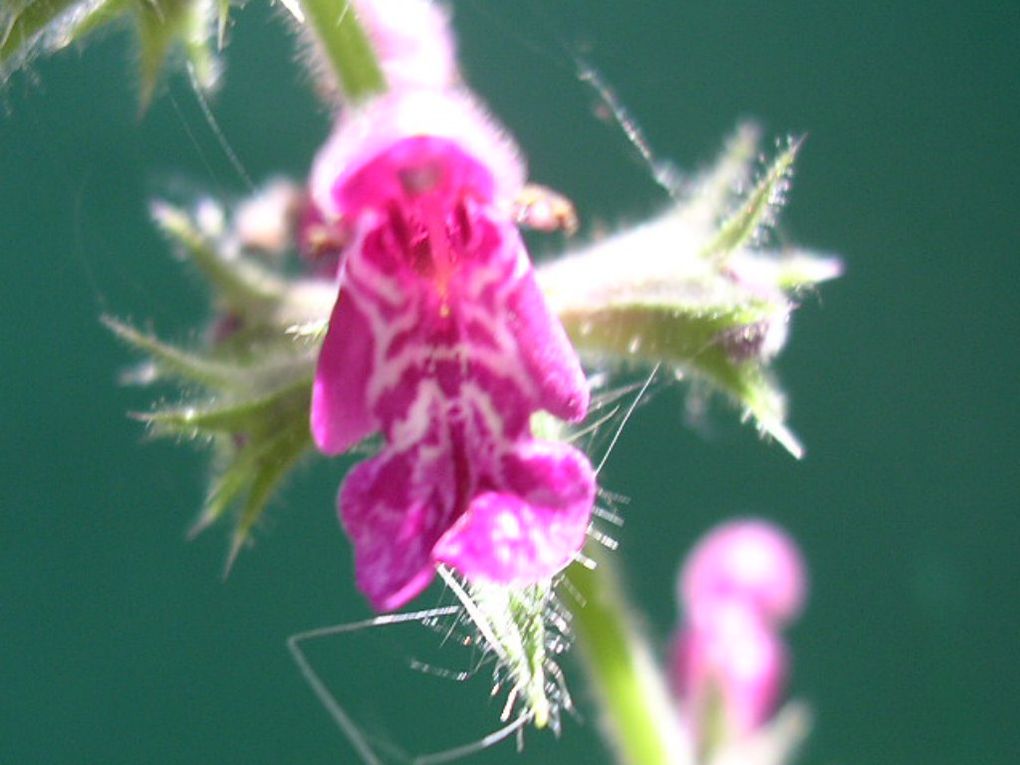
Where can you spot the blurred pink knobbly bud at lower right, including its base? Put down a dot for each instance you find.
(742, 584)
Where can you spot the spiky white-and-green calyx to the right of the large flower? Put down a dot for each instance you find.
(693, 290)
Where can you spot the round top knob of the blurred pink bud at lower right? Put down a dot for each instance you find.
(748, 562)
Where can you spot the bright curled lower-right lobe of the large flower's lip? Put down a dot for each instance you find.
(531, 529)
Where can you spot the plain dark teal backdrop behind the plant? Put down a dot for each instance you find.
(120, 643)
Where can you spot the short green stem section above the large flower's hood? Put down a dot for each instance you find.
(347, 47)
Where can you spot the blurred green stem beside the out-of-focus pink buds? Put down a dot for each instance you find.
(639, 717)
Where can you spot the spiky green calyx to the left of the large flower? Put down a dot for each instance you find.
(248, 391)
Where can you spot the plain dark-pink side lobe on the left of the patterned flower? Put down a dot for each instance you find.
(340, 416)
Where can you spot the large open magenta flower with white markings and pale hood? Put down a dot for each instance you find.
(441, 340)
